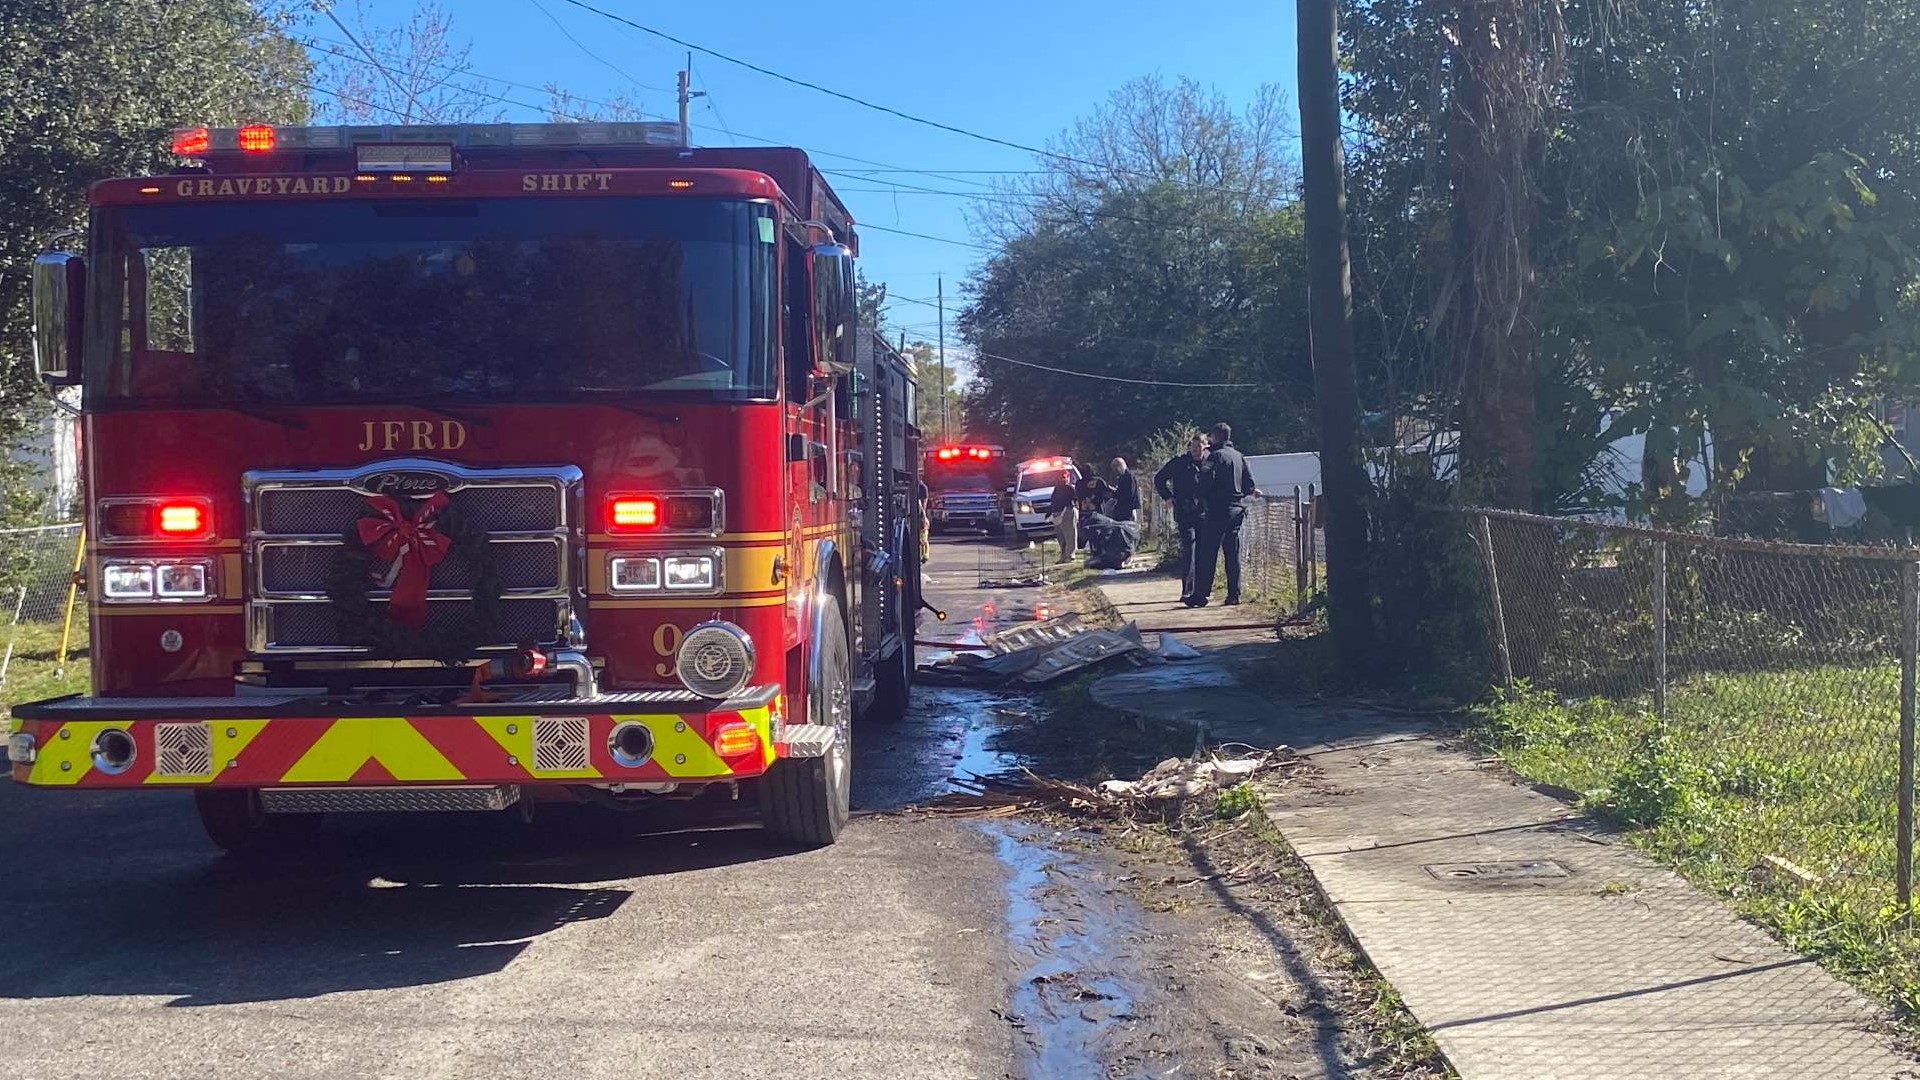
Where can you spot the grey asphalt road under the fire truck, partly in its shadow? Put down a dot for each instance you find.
(444, 946)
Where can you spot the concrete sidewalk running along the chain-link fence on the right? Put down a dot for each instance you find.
(1524, 935)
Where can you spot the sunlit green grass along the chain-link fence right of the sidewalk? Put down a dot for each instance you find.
(1800, 766)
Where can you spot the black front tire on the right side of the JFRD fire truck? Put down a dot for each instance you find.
(805, 800)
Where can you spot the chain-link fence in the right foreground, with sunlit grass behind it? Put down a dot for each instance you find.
(1750, 702)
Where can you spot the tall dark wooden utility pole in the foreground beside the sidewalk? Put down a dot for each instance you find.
(1332, 308)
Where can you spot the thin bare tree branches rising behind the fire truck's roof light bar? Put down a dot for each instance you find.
(412, 72)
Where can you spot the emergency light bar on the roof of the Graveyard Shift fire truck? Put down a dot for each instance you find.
(416, 147)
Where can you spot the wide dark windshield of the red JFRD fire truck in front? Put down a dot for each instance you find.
(492, 299)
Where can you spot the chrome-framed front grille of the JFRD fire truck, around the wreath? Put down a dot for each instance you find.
(299, 533)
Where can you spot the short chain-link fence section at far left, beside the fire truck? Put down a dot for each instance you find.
(37, 574)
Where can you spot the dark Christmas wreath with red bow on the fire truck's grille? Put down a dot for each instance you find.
(398, 551)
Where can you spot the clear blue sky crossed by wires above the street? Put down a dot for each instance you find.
(1019, 70)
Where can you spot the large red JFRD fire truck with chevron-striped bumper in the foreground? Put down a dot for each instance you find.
(468, 468)
